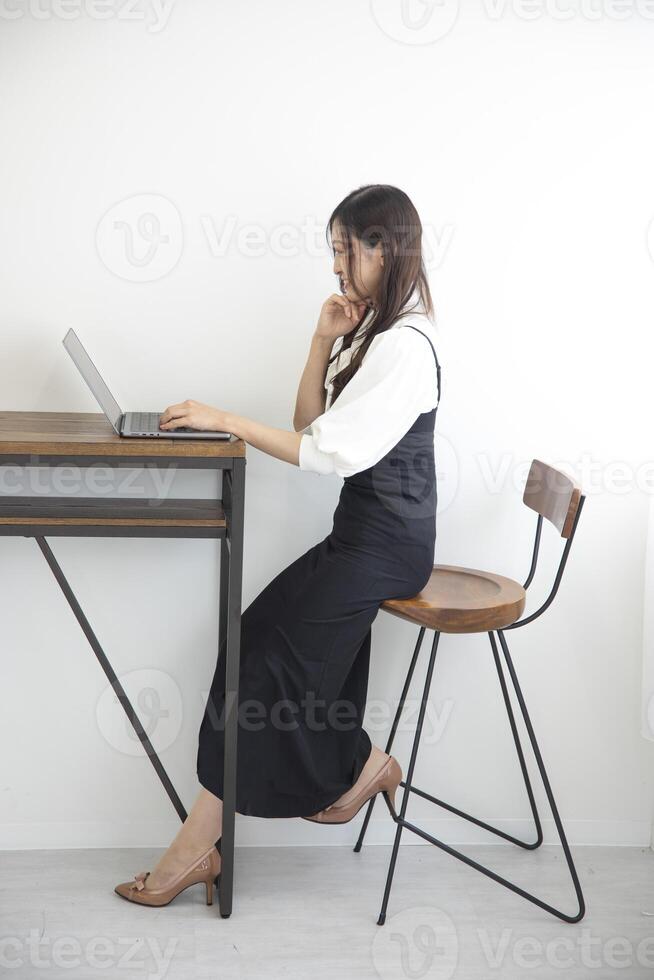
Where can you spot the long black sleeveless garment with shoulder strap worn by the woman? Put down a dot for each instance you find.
(305, 639)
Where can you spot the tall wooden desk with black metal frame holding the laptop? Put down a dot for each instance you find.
(87, 439)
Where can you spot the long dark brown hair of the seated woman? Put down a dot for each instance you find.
(381, 213)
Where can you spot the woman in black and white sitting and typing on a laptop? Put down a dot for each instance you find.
(365, 412)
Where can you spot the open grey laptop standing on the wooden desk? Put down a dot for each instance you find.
(140, 425)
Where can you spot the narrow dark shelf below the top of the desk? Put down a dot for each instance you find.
(109, 516)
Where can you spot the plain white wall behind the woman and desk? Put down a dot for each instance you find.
(526, 144)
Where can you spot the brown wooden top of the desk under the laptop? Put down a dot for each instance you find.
(90, 434)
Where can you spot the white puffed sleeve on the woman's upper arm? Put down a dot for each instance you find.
(396, 382)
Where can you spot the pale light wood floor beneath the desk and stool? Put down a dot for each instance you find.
(310, 912)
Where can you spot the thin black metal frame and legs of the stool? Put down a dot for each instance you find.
(401, 820)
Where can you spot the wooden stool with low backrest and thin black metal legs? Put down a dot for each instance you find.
(469, 600)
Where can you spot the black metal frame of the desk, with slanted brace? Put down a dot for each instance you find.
(231, 568)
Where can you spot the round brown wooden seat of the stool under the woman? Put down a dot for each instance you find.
(462, 600)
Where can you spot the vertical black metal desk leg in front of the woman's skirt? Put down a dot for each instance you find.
(235, 480)
